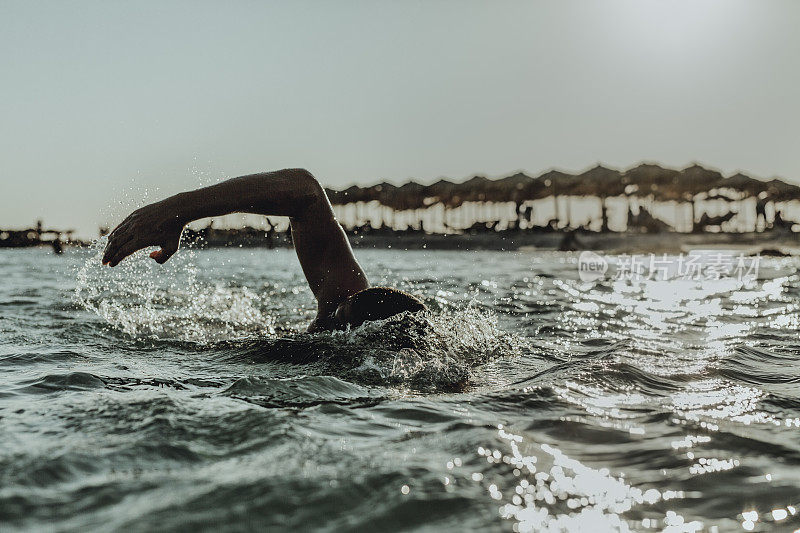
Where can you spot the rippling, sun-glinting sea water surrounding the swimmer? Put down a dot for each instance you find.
(187, 396)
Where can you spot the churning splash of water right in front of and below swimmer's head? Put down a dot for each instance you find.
(433, 351)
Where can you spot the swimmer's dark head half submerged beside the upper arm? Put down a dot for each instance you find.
(375, 303)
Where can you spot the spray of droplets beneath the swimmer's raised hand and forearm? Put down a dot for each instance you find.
(169, 302)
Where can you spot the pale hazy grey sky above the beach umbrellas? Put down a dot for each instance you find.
(105, 105)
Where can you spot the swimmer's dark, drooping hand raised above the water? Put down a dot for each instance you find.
(153, 225)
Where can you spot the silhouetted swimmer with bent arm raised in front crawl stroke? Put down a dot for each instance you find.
(344, 296)
